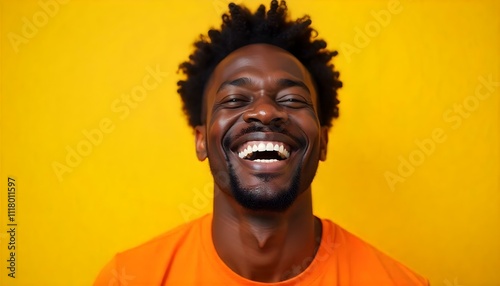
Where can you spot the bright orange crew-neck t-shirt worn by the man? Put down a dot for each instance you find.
(186, 256)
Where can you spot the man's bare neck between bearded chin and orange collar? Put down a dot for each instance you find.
(265, 246)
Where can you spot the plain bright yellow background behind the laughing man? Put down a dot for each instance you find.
(401, 85)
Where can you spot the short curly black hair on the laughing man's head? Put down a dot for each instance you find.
(242, 28)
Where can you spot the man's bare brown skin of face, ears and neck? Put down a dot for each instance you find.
(266, 88)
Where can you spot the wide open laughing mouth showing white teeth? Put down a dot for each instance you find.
(264, 151)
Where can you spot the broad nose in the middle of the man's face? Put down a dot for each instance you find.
(266, 111)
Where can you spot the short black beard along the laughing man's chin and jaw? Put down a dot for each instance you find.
(262, 197)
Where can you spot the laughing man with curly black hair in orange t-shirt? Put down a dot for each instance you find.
(260, 94)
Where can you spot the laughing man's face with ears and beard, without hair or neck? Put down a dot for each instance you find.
(262, 134)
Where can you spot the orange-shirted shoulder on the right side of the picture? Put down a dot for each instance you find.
(369, 264)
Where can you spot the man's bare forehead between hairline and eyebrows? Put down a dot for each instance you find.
(267, 62)
